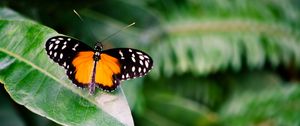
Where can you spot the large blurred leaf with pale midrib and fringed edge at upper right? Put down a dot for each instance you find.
(205, 37)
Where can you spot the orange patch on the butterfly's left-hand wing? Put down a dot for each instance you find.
(84, 64)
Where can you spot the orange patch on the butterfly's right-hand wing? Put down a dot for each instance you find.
(106, 68)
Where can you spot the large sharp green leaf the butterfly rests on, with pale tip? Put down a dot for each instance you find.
(33, 80)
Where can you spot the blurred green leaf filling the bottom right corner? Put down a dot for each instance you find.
(274, 106)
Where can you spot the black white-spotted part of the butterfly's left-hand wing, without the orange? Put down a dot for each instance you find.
(63, 50)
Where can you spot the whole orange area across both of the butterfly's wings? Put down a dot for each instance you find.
(106, 67)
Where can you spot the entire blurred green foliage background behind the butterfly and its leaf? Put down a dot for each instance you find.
(216, 62)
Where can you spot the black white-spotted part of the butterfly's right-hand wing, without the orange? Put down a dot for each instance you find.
(133, 63)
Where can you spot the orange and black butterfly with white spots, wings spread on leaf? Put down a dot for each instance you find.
(94, 67)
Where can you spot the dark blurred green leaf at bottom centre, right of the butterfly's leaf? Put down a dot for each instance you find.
(171, 108)
